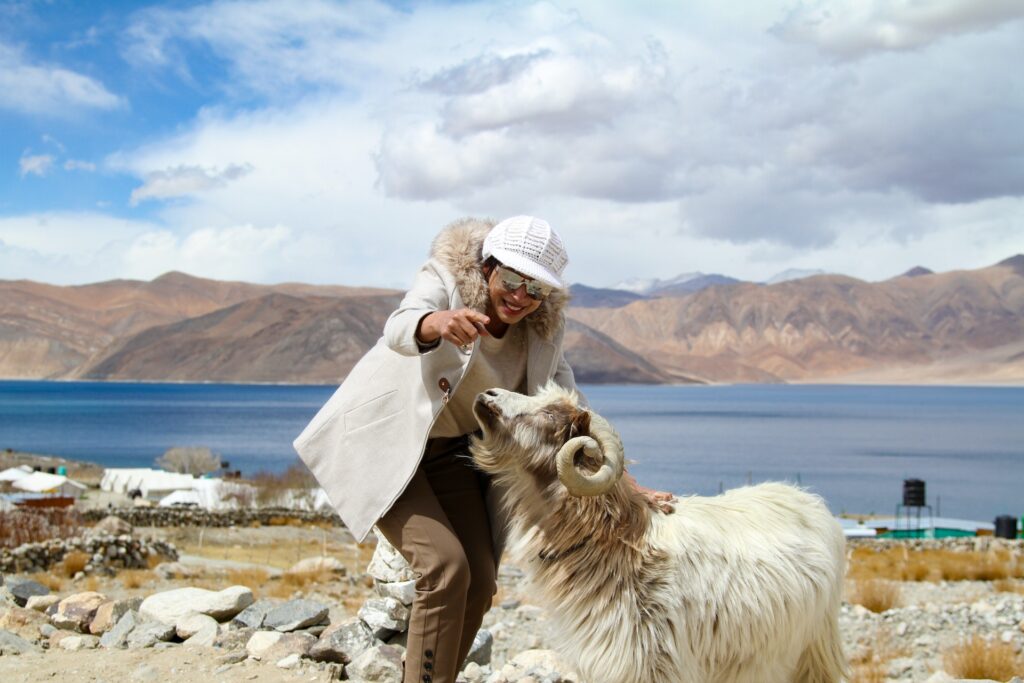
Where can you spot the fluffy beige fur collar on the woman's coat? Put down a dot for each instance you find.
(458, 248)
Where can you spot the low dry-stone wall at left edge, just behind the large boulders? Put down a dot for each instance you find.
(106, 553)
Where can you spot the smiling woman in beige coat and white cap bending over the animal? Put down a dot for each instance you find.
(391, 447)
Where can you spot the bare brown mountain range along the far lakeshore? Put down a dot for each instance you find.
(953, 327)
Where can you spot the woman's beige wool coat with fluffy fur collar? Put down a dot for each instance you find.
(365, 444)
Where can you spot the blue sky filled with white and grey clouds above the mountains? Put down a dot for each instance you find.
(328, 142)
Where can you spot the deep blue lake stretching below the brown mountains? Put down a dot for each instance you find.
(854, 445)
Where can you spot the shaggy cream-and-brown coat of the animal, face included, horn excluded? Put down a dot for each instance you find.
(741, 588)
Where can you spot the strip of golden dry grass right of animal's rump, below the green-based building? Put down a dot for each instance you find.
(900, 564)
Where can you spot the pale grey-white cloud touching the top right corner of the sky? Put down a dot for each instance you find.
(857, 28)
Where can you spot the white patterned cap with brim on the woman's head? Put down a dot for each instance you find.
(530, 246)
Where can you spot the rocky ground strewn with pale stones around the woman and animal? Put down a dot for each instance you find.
(218, 617)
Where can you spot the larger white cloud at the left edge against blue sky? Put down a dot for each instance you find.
(48, 90)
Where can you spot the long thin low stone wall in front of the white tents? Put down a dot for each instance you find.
(200, 518)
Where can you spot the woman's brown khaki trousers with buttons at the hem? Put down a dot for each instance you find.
(440, 525)
